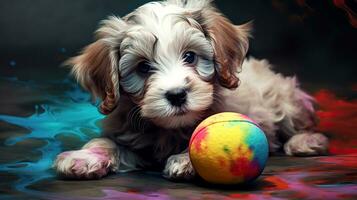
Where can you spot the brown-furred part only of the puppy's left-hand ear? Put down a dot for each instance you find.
(93, 69)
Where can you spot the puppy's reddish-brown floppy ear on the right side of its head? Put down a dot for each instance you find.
(230, 45)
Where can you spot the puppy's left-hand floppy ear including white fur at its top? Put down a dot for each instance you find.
(96, 68)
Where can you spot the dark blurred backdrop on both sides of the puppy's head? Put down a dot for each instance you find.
(312, 39)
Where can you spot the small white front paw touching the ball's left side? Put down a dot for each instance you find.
(179, 167)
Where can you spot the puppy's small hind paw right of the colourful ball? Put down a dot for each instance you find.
(307, 144)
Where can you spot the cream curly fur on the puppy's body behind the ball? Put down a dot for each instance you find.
(266, 97)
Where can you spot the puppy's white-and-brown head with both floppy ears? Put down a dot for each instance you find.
(167, 56)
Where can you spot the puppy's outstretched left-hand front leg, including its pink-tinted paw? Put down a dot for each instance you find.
(96, 159)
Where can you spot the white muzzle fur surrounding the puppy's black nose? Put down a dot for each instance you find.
(156, 106)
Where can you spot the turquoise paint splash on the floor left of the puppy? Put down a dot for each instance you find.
(71, 114)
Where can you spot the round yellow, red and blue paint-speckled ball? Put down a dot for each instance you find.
(228, 148)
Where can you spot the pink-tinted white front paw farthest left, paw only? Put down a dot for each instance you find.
(90, 163)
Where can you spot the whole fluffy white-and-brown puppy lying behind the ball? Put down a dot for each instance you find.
(162, 69)
